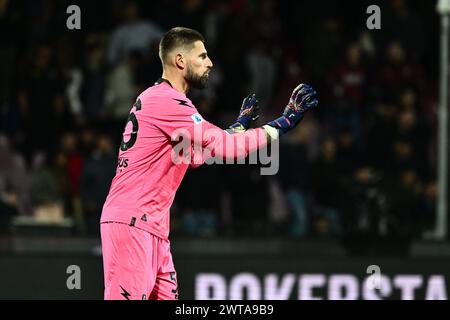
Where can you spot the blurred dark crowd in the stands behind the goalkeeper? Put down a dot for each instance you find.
(362, 165)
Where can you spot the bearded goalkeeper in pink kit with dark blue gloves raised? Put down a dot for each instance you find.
(137, 259)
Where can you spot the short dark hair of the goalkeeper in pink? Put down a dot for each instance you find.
(178, 37)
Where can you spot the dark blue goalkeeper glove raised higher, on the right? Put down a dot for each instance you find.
(302, 99)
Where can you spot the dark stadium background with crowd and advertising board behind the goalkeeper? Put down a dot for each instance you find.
(357, 179)
